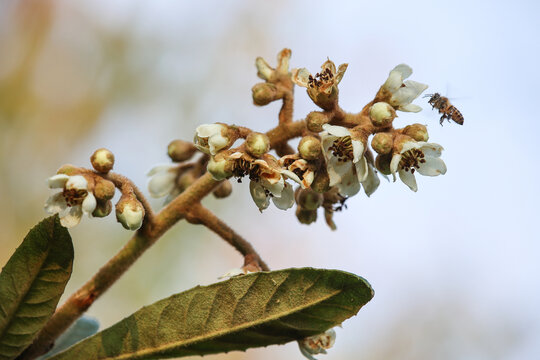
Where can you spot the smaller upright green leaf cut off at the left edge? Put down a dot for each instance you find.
(31, 284)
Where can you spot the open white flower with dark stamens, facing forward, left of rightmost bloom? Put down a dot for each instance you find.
(345, 160)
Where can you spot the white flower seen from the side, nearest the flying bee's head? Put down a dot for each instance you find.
(403, 93)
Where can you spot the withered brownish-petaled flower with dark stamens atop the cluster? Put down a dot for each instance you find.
(323, 81)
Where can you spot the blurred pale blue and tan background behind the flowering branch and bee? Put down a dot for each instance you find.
(455, 267)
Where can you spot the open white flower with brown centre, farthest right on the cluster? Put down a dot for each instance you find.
(421, 156)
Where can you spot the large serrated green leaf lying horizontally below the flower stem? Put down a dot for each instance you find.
(253, 310)
